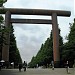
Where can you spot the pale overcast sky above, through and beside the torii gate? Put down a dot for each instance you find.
(30, 37)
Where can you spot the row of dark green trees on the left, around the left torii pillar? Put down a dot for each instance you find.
(14, 54)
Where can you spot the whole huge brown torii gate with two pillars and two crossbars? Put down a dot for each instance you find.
(16, 11)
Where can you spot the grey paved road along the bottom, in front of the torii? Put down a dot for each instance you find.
(56, 71)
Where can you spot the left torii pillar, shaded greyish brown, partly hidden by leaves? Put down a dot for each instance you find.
(5, 50)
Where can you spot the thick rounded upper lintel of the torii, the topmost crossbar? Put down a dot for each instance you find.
(19, 11)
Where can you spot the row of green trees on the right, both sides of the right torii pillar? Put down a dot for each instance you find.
(67, 50)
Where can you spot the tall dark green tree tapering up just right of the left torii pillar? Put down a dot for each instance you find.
(14, 54)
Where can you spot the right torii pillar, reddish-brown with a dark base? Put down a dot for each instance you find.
(55, 32)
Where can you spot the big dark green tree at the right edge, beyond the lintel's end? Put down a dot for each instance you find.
(69, 46)
